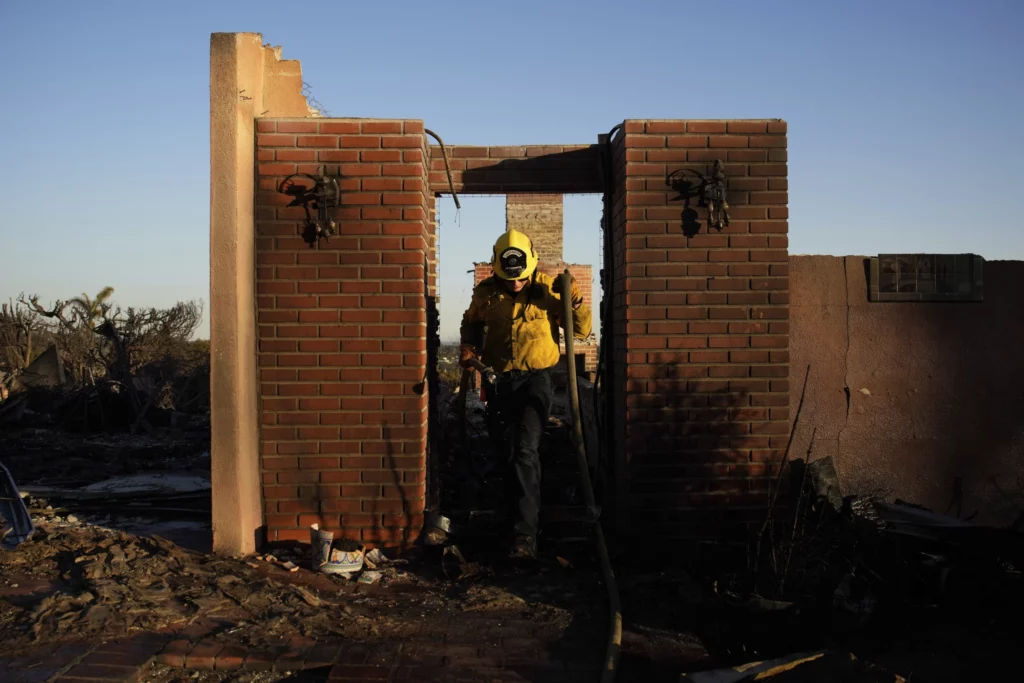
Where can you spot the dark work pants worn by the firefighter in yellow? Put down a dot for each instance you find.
(518, 412)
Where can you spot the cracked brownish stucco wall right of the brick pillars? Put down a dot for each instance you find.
(936, 391)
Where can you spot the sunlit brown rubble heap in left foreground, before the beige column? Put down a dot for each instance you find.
(108, 583)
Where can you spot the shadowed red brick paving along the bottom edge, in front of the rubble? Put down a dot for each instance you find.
(504, 646)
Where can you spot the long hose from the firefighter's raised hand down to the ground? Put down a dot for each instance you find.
(616, 626)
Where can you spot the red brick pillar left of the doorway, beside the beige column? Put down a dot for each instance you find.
(344, 332)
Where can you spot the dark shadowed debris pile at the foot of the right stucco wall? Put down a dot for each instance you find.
(860, 552)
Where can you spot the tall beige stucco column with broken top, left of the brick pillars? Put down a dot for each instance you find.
(247, 81)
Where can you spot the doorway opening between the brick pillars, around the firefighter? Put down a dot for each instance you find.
(467, 471)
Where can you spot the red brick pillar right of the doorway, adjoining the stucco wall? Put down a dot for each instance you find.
(701, 327)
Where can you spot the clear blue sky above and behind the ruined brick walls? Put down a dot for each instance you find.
(906, 117)
